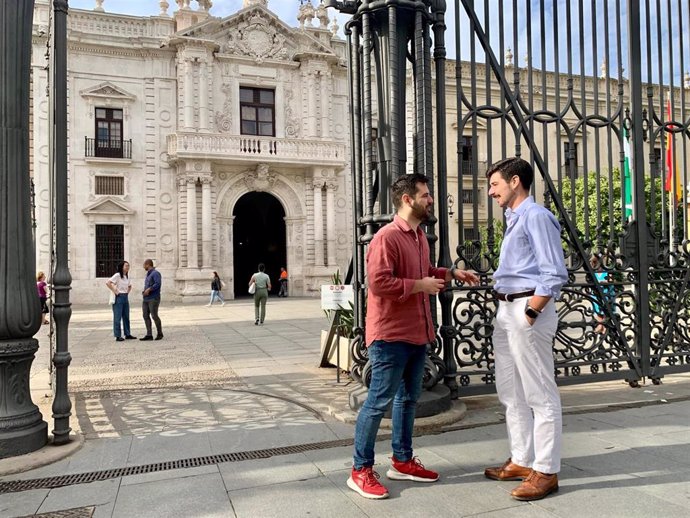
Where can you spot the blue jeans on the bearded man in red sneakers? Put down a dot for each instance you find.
(397, 369)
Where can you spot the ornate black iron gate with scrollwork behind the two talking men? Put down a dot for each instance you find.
(605, 120)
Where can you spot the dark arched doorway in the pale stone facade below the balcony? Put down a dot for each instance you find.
(258, 237)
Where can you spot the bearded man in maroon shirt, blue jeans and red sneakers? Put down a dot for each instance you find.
(398, 330)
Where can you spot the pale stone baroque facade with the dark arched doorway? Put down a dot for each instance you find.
(204, 143)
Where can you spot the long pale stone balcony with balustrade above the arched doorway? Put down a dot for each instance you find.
(250, 149)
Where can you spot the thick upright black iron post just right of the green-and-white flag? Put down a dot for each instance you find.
(643, 331)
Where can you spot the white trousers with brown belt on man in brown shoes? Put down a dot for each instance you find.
(526, 386)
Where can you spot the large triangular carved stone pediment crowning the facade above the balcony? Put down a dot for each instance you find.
(257, 33)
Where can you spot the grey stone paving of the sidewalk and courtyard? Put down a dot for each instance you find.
(224, 418)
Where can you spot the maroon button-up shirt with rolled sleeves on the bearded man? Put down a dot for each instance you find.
(398, 256)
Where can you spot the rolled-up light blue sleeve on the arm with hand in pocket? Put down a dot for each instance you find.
(545, 239)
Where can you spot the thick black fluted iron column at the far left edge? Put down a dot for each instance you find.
(22, 428)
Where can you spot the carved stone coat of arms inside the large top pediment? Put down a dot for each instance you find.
(258, 38)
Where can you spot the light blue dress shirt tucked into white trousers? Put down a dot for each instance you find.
(531, 253)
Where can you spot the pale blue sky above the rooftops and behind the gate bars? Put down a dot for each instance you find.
(668, 41)
